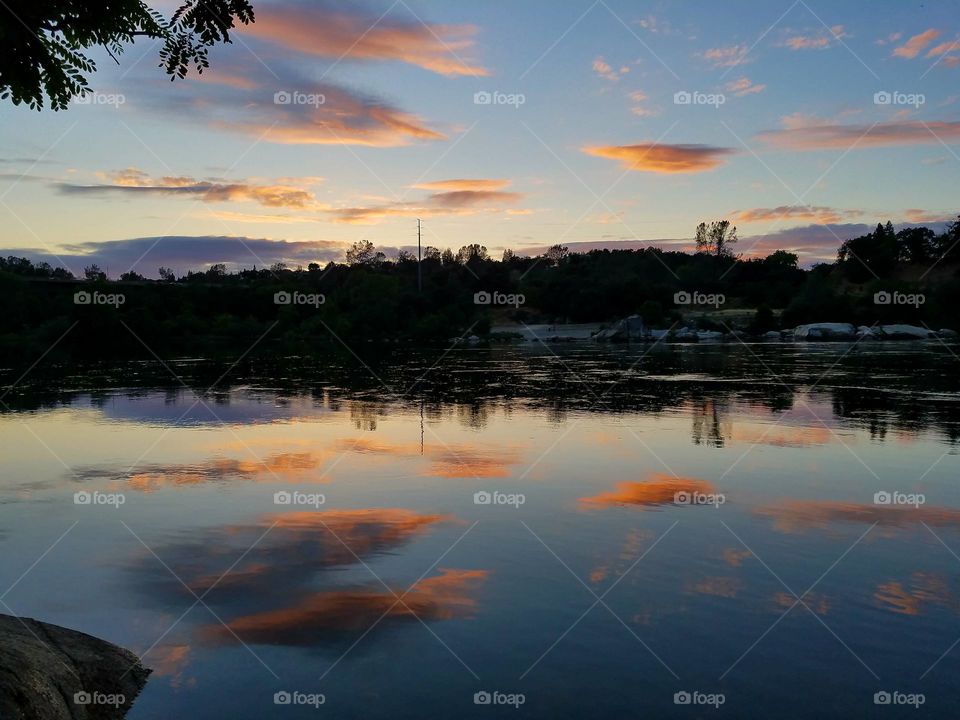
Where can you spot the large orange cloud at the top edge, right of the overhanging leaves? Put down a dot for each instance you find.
(323, 30)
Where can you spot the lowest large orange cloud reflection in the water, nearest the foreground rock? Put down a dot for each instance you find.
(443, 597)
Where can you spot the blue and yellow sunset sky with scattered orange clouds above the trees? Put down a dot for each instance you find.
(514, 124)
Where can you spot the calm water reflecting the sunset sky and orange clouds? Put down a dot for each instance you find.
(762, 531)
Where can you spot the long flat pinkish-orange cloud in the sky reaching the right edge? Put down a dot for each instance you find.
(829, 136)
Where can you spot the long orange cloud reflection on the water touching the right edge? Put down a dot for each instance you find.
(800, 515)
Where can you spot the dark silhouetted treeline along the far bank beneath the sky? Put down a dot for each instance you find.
(373, 298)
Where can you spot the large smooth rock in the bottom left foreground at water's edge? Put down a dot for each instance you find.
(46, 673)
